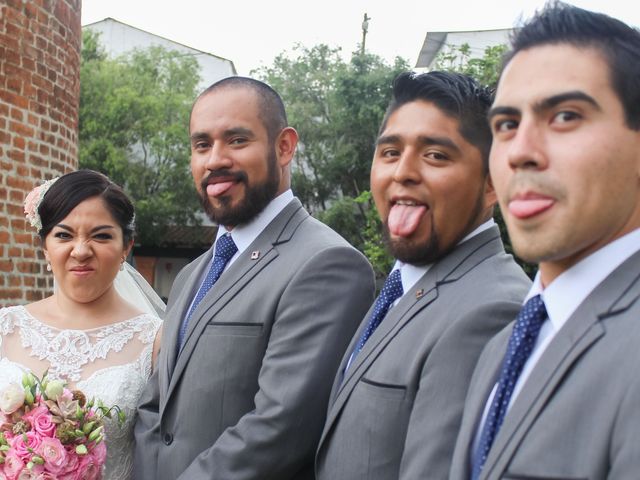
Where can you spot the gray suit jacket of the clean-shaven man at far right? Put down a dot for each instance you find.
(578, 414)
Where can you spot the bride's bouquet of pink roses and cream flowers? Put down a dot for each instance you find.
(48, 432)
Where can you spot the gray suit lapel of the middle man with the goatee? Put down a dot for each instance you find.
(449, 269)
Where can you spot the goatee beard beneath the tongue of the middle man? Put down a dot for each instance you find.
(431, 250)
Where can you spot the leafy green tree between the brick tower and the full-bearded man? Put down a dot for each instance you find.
(134, 116)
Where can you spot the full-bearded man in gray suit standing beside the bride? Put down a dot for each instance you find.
(247, 360)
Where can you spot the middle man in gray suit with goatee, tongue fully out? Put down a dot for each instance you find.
(397, 400)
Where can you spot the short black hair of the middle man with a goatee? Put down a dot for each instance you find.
(457, 95)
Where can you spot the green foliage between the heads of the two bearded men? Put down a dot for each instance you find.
(337, 108)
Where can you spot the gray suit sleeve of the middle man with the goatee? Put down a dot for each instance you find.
(444, 382)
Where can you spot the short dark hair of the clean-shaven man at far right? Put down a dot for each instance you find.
(619, 44)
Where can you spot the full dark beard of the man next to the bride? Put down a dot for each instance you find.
(256, 197)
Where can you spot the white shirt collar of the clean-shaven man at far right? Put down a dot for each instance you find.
(563, 296)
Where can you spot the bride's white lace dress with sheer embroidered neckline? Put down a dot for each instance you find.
(111, 363)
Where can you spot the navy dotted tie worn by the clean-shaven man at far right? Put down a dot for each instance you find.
(523, 337)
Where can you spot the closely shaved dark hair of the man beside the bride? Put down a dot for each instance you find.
(270, 105)
